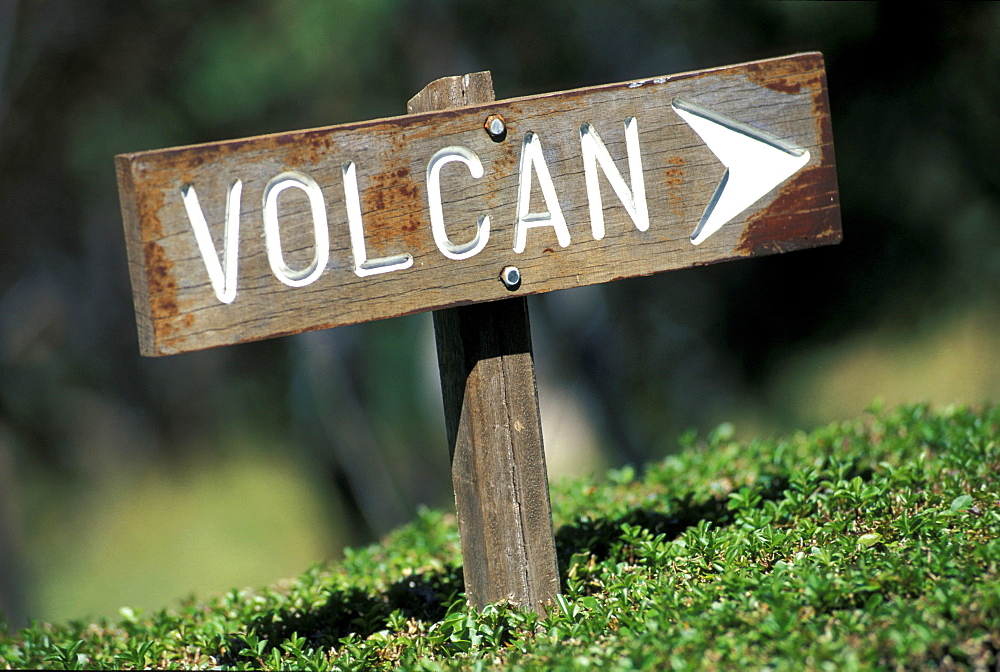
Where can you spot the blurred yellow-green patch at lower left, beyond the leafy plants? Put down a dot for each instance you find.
(165, 534)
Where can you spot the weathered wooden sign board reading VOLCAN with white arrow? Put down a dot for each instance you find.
(248, 239)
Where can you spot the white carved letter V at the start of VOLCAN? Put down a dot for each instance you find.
(223, 282)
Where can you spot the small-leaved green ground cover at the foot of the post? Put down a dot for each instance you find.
(868, 544)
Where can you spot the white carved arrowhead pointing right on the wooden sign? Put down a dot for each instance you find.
(756, 162)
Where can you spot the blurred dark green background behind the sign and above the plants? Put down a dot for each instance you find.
(127, 481)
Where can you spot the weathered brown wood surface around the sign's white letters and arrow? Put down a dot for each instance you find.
(177, 309)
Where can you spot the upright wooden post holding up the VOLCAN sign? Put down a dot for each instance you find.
(493, 424)
